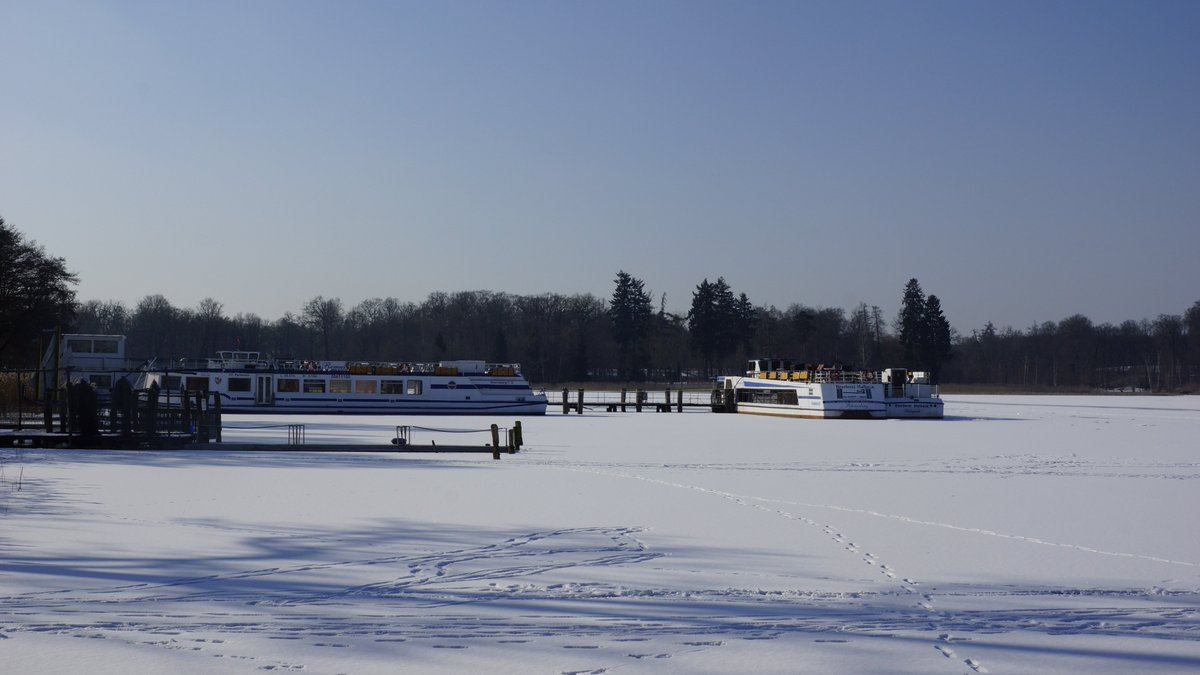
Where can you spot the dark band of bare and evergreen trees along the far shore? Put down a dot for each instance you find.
(581, 338)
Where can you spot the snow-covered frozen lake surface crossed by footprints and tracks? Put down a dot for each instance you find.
(1041, 534)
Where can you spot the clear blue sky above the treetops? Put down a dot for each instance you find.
(1024, 160)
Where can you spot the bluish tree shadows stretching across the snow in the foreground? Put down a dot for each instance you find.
(399, 578)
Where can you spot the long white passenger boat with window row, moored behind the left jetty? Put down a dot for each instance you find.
(247, 383)
